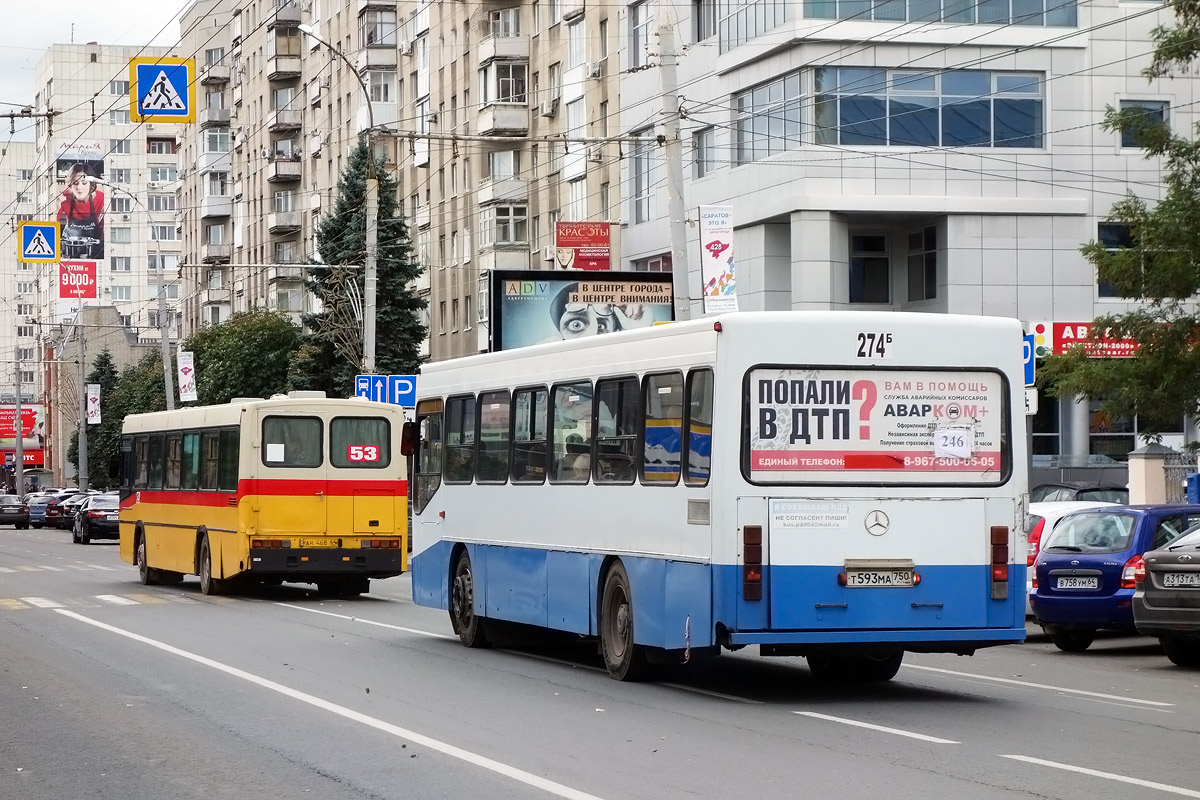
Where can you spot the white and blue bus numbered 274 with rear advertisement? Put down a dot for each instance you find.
(844, 486)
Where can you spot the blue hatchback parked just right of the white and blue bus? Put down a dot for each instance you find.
(1085, 572)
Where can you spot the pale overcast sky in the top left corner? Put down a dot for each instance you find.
(31, 27)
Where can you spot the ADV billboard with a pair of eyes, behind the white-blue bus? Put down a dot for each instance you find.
(536, 308)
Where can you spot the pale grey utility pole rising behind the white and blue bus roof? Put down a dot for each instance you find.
(669, 59)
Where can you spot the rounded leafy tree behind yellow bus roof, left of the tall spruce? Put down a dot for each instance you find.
(247, 357)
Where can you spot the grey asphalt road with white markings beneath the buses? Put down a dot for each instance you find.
(115, 690)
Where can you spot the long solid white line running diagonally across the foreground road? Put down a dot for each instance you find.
(419, 739)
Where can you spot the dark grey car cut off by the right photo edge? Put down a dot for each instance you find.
(1167, 599)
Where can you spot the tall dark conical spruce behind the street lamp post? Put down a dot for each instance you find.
(333, 351)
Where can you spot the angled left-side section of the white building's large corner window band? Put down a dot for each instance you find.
(769, 119)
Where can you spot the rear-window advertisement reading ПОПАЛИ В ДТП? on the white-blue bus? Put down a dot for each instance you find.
(866, 426)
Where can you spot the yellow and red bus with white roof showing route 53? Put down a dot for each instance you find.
(295, 489)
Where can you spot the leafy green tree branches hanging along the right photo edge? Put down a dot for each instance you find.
(1162, 267)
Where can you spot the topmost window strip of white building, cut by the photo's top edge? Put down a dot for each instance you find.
(1054, 14)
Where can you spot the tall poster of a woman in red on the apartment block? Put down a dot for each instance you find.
(82, 203)
